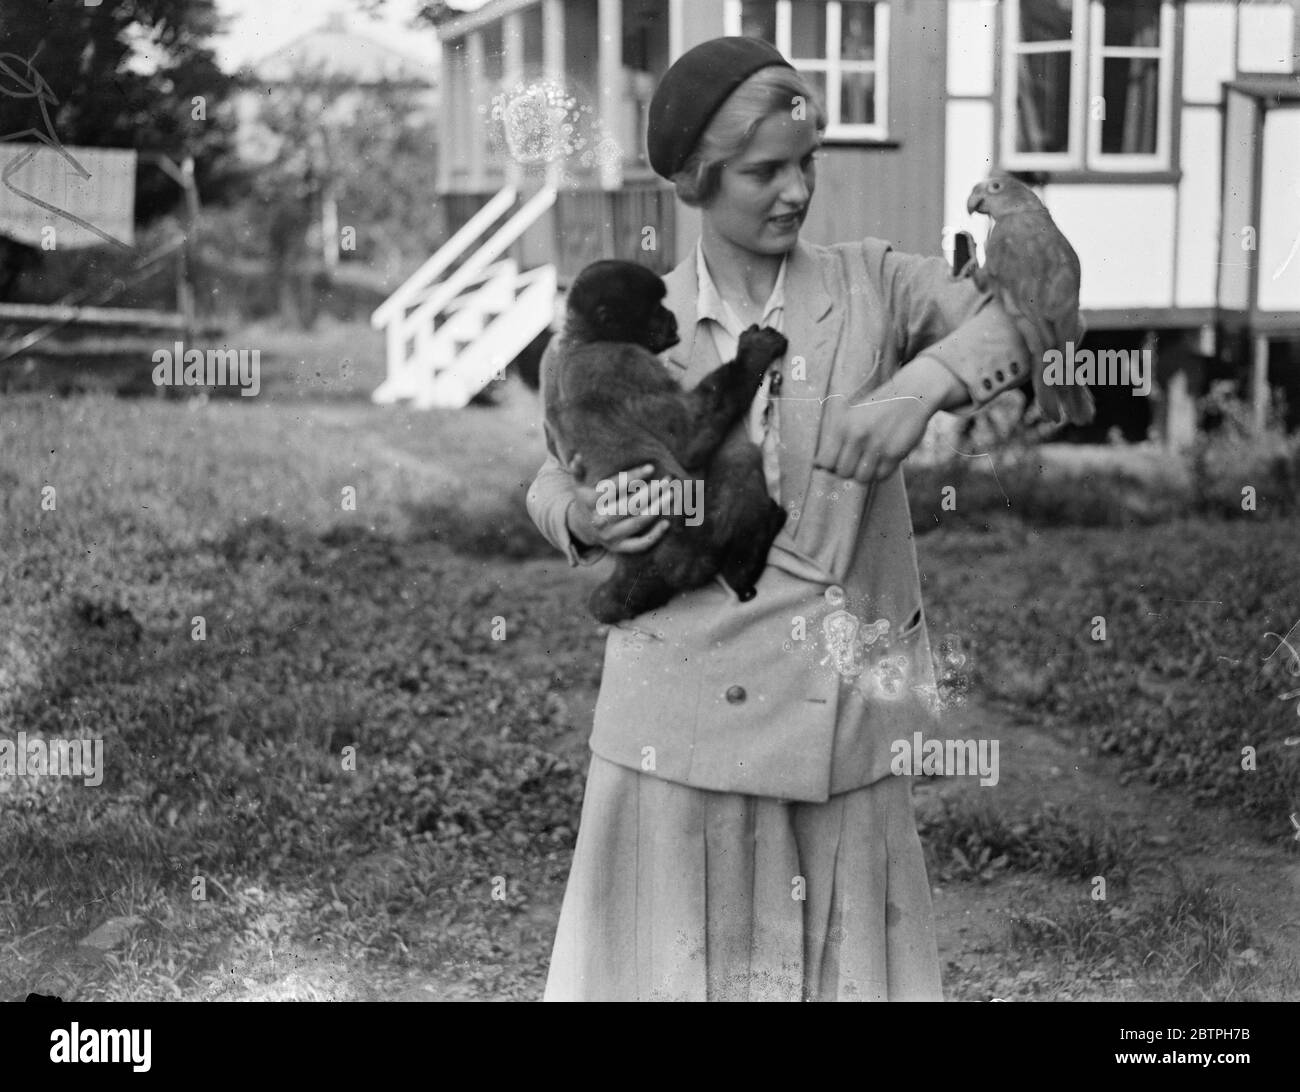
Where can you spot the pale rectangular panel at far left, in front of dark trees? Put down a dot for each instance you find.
(106, 198)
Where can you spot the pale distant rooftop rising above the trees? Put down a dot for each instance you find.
(341, 53)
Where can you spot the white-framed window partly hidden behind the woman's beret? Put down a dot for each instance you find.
(842, 47)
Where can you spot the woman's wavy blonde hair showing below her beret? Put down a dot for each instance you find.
(773, 90)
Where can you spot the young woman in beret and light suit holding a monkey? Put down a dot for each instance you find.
(743, 837)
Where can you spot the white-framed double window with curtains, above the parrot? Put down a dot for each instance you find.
(1089, 85)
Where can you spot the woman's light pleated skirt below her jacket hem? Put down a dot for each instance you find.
(686, 895)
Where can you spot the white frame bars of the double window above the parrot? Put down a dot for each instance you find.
(1085, 155)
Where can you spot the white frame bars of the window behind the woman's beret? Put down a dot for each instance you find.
(833, 67)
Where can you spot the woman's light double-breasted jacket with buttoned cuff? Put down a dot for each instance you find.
(747, 697)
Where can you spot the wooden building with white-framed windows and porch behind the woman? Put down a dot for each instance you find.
(1120, 111)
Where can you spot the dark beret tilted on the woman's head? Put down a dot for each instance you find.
(694, 90)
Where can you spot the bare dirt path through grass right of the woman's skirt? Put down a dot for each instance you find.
(1038, 769)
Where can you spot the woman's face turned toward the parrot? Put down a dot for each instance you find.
(764, 196)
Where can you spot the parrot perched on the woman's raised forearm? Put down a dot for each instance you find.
(1034, 271)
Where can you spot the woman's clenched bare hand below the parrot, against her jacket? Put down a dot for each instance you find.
(868, 439)
